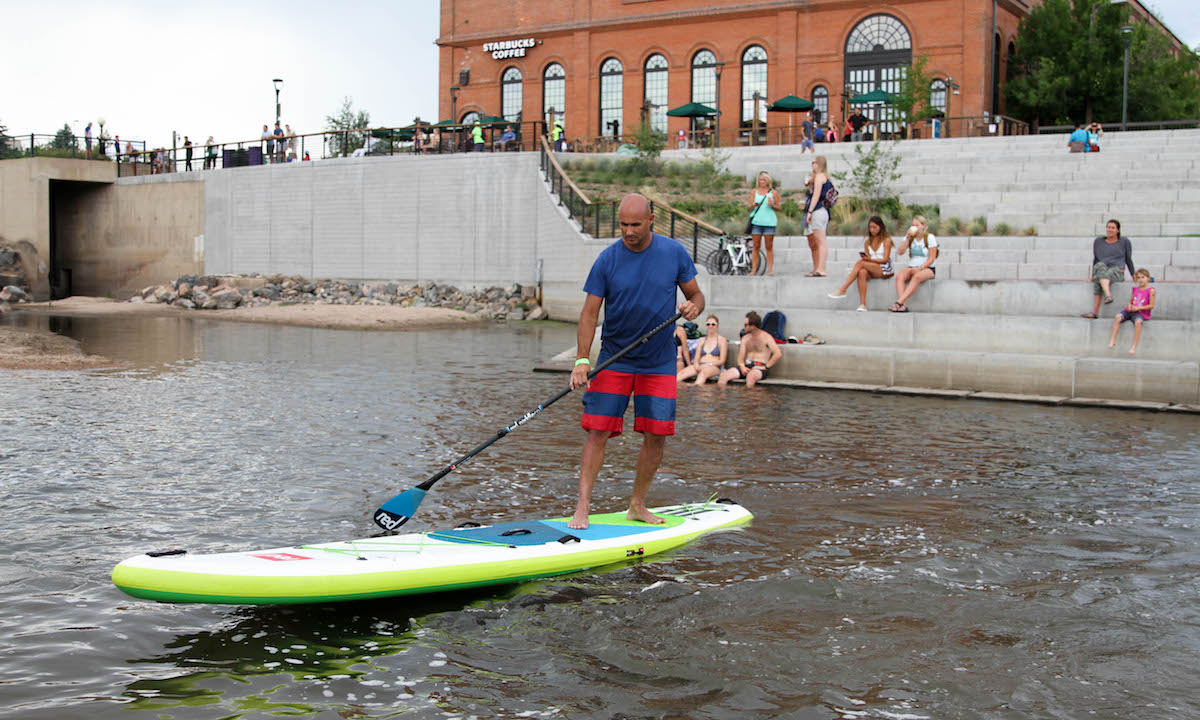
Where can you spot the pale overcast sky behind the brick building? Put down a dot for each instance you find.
(201, 69)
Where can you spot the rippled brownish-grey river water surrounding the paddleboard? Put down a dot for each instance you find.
(910, 557)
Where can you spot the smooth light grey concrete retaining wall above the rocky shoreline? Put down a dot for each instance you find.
(466, 220)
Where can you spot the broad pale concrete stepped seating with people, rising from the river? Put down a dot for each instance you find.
(1003, 315)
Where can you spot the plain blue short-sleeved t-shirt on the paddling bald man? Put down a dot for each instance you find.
(639, 292)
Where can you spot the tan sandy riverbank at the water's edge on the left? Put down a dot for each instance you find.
(45, 351)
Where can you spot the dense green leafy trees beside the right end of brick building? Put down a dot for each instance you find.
(1069, 68)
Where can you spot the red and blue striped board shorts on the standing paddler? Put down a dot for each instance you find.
(608, 398)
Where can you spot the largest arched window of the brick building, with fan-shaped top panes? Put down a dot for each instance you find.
(879, 52)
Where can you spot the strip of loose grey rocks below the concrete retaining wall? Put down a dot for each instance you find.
(206, 293)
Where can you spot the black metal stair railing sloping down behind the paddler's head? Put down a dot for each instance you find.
(599, 219)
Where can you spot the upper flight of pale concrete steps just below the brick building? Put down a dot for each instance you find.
(1148, 181)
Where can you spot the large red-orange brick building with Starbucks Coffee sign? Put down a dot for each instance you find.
(599, 65)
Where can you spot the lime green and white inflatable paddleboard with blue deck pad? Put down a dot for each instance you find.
(416, 563)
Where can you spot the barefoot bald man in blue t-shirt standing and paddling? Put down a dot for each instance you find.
(635, 281)
